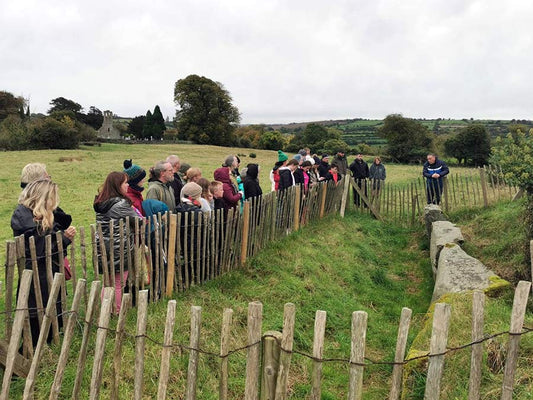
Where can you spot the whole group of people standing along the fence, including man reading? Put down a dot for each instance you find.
(181, 190)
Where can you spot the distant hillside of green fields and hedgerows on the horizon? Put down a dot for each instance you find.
(359, 130)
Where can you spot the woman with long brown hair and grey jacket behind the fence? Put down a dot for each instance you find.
(111, 205)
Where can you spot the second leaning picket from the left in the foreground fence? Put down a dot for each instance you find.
(43, 334)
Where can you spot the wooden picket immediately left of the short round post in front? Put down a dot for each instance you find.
(255, 320)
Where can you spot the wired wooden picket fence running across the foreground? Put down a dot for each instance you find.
(268, 355)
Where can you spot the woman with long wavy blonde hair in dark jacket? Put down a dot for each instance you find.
(34, 216)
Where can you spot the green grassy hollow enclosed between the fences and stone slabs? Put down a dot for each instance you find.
(339, 266)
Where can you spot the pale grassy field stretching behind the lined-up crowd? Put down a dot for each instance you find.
(80, 172)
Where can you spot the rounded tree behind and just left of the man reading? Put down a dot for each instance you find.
(407, 139)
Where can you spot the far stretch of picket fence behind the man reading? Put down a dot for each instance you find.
(405, 202)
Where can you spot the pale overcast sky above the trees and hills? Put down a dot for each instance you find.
(282, 61)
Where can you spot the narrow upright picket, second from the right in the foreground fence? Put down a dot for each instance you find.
(476, 360)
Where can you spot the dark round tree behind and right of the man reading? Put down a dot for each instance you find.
(471, 145)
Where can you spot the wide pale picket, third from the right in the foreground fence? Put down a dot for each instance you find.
(439, 339)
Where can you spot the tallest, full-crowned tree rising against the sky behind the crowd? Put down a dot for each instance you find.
(206, 114)
